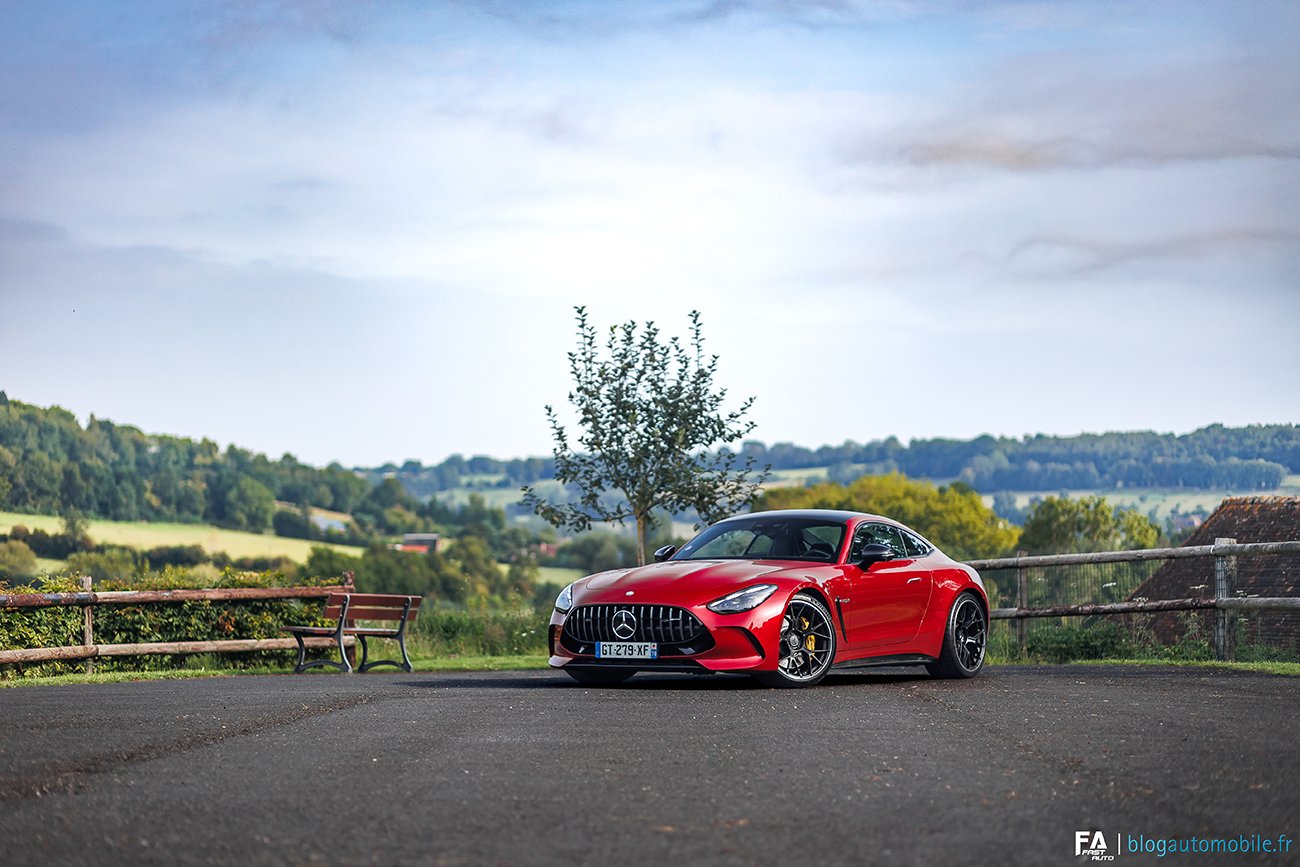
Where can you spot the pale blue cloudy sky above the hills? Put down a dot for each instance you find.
(357, 232)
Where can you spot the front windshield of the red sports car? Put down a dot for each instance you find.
(768, 539)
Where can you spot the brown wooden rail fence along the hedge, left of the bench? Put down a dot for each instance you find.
(89, 600)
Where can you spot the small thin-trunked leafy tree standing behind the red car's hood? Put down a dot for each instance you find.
(649, 421)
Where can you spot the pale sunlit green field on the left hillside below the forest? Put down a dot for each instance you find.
(145, 536)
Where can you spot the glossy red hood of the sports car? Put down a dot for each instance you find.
(683, 582)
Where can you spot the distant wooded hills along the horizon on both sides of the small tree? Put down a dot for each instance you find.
(53, 465)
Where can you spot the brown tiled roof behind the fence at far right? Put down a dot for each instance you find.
(1246, 519)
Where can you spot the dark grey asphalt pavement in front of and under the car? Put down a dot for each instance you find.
(531, 769)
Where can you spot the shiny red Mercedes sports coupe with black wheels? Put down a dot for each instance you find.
(785, 597)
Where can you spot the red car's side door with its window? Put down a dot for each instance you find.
(889, 600)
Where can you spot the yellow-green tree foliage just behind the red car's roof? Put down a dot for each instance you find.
(954, 518)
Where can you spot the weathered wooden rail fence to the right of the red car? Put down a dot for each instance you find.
(1225, 602)
